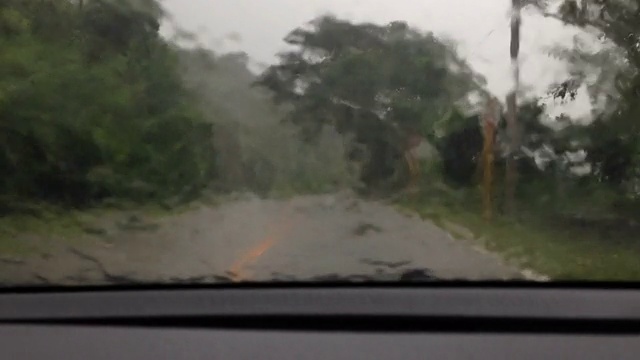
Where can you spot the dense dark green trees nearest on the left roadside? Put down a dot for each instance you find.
(92, 105)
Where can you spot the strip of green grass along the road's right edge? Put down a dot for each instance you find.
(555, 249)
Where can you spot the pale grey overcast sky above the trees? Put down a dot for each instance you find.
(481, 28)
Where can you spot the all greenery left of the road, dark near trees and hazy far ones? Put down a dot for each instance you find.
(101, 114)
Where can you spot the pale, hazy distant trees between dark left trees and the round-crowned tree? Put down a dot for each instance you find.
(255, 149)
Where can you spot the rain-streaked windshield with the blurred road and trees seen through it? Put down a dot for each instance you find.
(173, 142)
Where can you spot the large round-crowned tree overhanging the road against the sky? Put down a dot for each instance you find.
(379, 83)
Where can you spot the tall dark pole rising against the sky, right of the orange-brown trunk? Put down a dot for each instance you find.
(513, 130)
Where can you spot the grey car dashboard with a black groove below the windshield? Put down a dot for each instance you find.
(314, 322)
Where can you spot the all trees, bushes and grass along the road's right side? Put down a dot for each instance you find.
(577, 196)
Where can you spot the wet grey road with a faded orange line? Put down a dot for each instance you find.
(319, 237)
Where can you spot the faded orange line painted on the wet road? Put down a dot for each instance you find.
(277, 231)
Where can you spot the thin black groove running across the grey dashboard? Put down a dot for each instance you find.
(357, 324)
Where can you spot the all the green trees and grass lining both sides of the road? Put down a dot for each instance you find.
(99, 112)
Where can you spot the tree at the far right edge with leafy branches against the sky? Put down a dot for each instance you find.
(615, 133)
